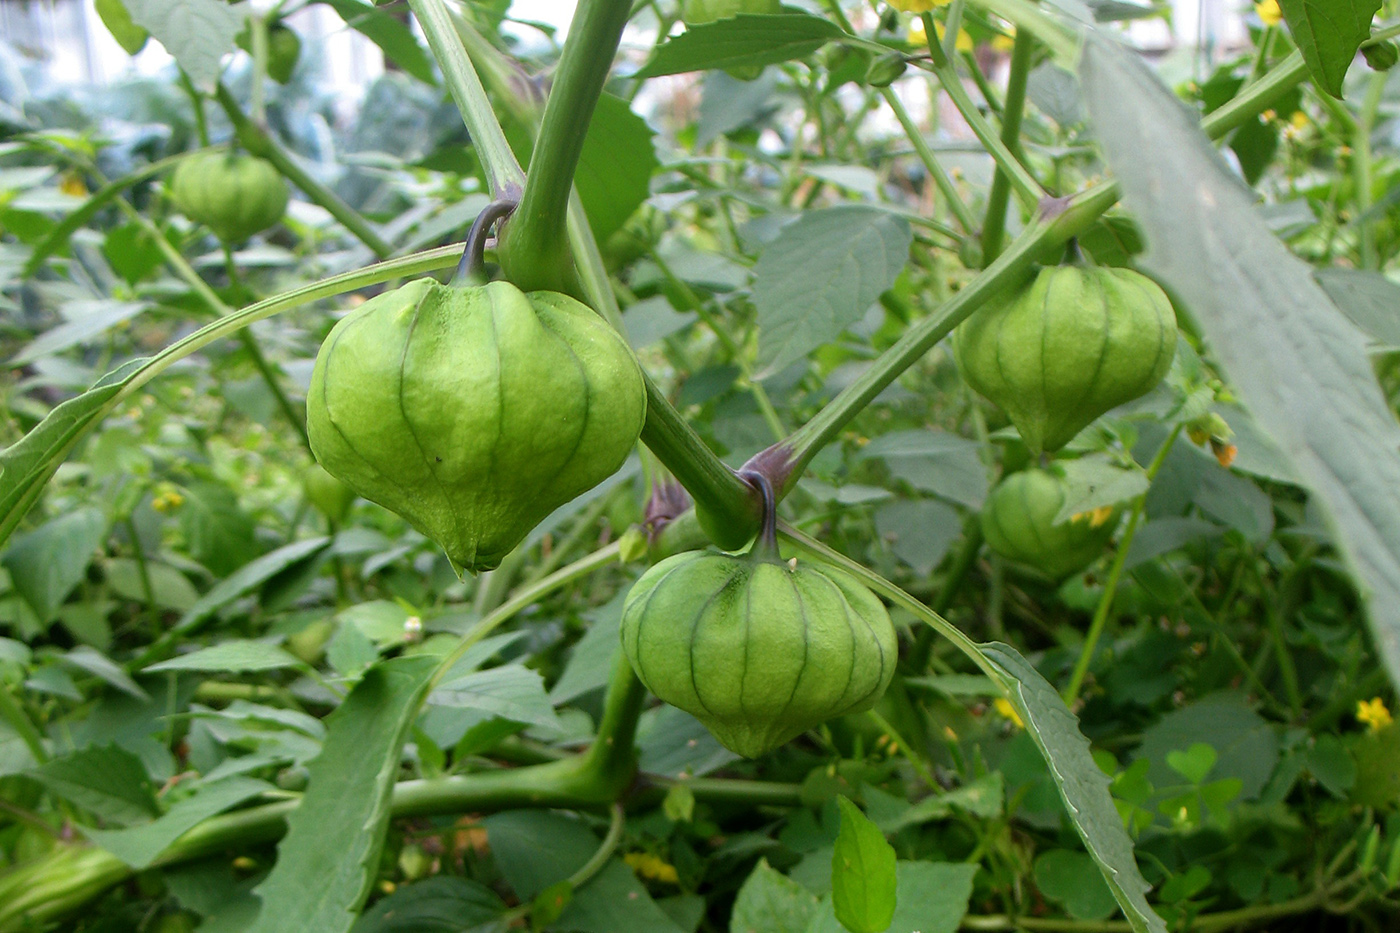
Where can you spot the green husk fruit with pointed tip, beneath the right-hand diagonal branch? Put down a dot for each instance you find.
(1067, 348)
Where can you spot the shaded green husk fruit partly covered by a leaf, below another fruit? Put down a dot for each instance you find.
(1018, 523)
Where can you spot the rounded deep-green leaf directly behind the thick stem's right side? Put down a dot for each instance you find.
(615, 169)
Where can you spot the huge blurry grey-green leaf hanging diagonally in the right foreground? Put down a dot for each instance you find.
(1297, 364)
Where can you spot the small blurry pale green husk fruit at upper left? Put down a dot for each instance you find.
(232, 194)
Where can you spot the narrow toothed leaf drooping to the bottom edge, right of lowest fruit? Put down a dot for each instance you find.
(1083, 787)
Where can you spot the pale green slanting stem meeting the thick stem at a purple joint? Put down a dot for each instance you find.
(503, 173)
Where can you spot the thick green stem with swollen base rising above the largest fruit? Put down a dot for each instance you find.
(534, 246)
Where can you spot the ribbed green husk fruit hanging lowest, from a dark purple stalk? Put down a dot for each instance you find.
(755, 648)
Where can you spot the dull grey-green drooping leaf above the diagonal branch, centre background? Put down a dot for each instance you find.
(821, 275)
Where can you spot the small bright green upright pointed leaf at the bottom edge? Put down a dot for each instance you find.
(863, 873)
